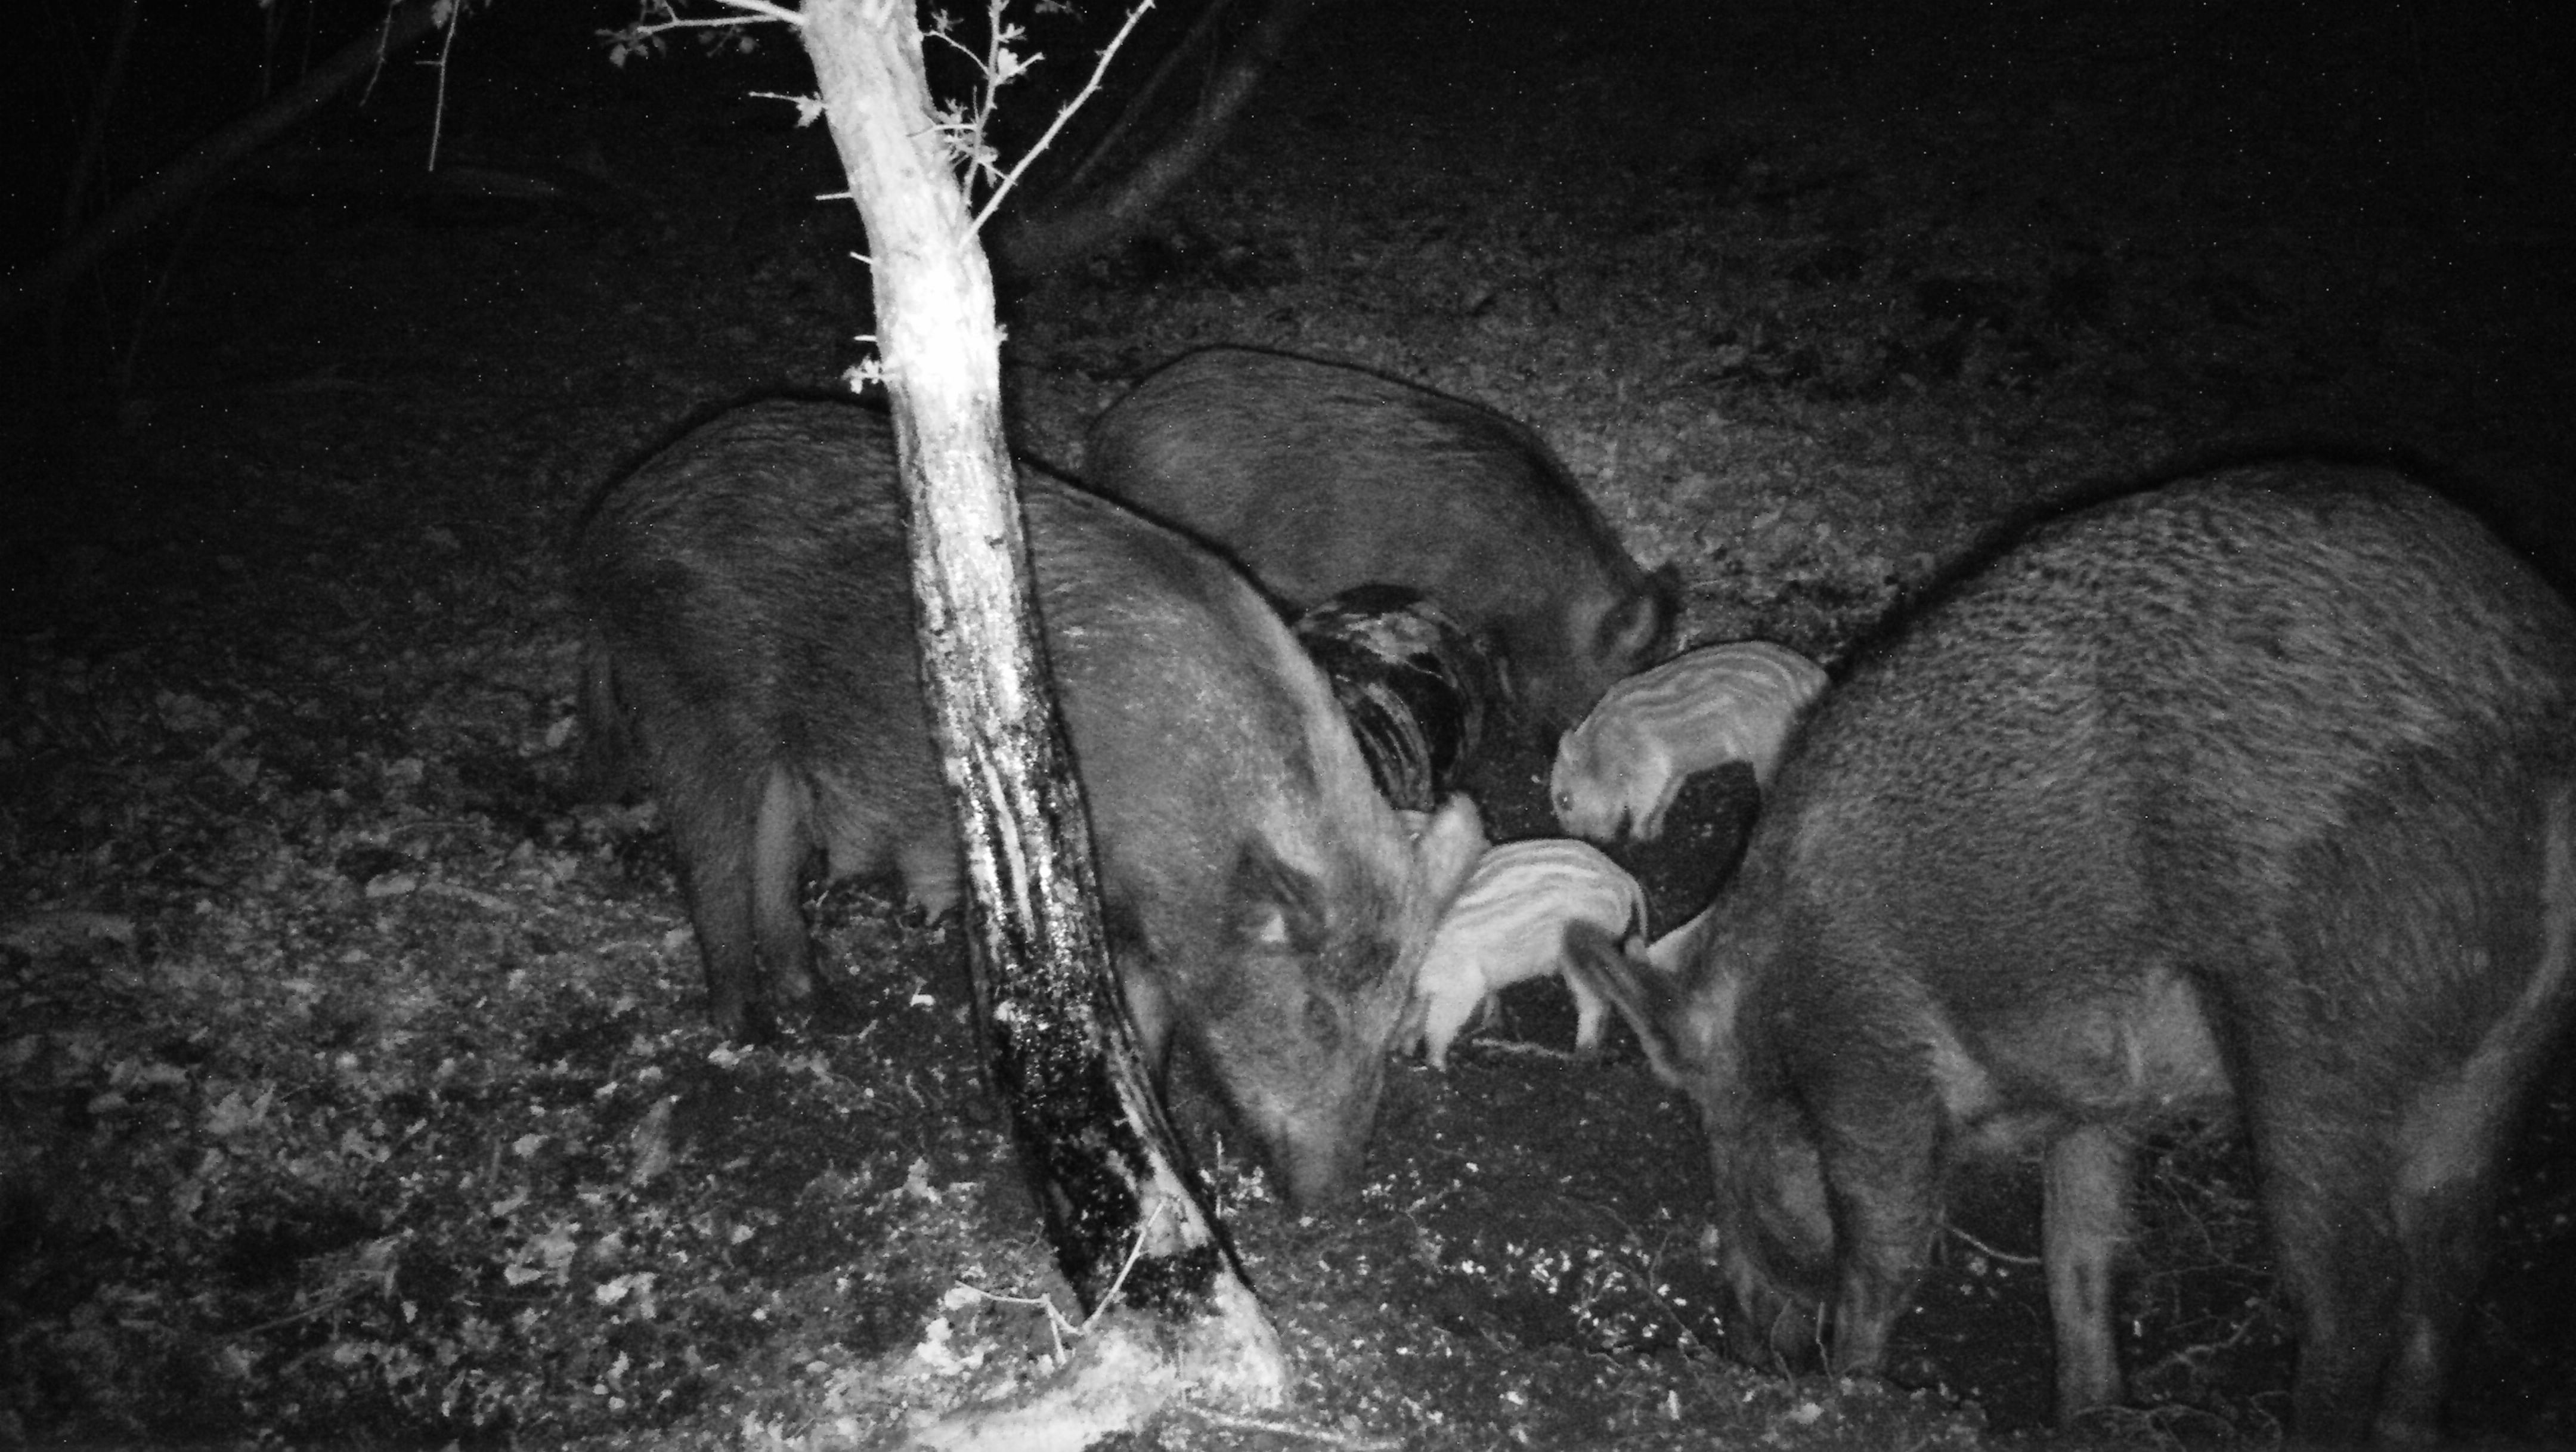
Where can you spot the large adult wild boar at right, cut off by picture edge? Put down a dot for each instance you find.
(2250, 789)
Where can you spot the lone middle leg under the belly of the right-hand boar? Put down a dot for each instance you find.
(2085, 1222)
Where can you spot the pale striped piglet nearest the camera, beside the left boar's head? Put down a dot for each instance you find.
(1511, 926)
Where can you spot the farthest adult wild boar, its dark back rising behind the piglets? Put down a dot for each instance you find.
(1320, 478)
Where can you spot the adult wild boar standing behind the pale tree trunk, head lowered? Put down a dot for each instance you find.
(751, 640)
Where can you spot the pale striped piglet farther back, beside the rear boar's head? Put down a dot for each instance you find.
(1655, 730)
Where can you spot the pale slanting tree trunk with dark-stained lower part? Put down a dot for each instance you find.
(1060, 1052)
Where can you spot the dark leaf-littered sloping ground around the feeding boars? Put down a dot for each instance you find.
(354, 1075)
